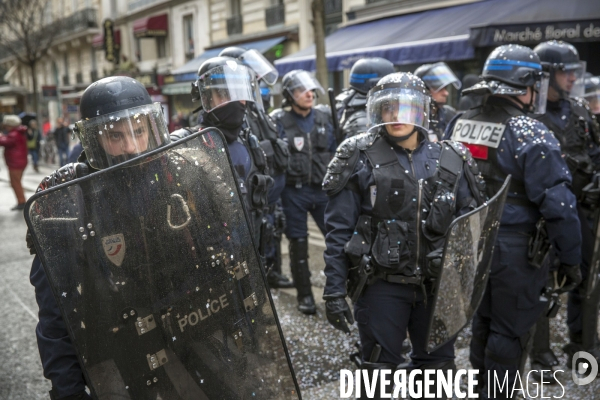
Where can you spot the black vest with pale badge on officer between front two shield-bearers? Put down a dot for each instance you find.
(309, 154)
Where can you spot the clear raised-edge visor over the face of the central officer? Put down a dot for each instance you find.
(396, 105)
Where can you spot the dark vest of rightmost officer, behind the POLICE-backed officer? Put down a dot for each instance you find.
(574, 141)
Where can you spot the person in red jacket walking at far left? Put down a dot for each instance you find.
(15, 154)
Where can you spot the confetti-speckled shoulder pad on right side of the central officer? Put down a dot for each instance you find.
(474, 178)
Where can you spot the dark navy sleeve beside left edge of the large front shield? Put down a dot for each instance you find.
(58, 356)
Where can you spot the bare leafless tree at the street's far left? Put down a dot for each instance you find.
(27, 31)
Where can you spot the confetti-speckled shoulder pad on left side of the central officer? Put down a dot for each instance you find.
(341, 166)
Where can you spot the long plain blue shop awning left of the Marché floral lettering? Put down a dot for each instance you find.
(435, 35)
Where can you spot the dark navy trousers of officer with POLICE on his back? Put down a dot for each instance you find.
(509, 309)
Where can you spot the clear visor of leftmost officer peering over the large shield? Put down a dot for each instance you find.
(111, 139)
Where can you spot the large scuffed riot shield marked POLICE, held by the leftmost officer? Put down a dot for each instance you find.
(153, 266)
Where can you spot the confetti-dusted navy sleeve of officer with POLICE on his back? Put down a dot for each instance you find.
(548, 184)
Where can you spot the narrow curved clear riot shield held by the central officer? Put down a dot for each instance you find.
(465, 269)
